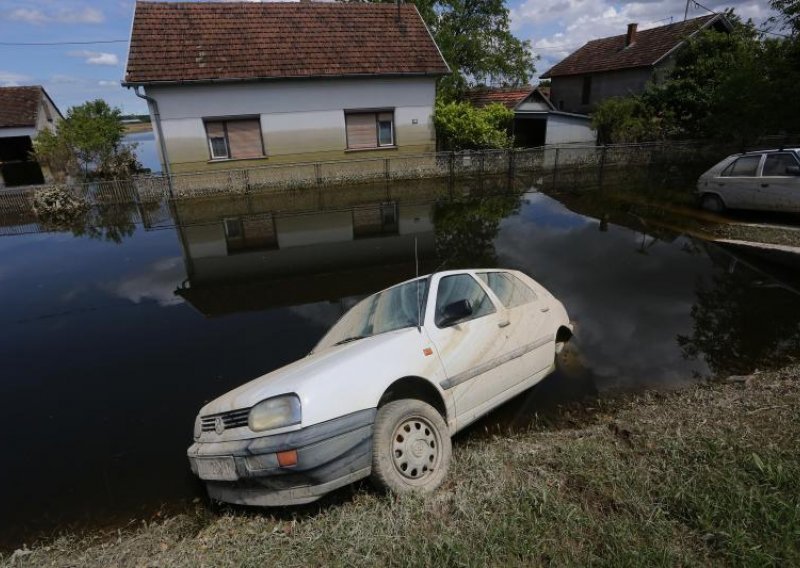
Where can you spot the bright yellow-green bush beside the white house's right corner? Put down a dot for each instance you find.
(460, 126)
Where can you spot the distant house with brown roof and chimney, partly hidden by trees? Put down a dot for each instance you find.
(622, 65)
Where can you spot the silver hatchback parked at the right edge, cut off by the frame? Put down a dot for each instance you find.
(768, 180)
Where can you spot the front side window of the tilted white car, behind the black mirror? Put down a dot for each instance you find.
(453, 292)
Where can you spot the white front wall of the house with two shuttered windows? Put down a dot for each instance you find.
(297, 117)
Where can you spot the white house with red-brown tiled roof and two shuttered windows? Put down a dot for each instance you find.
(233, 85)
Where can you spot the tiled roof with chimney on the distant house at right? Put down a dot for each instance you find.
(610, 53)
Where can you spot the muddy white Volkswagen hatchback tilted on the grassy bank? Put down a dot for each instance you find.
(383, 391)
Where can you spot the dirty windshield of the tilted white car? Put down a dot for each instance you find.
(395, 308)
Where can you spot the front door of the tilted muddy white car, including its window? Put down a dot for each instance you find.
(472, 349)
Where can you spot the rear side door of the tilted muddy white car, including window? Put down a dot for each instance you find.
(530, 331)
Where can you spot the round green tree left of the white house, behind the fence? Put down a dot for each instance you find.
(89, 141)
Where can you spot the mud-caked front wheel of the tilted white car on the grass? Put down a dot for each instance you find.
(411, 447)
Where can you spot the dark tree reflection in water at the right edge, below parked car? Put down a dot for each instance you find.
(742, 323)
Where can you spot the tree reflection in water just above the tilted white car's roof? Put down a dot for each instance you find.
(465, 230)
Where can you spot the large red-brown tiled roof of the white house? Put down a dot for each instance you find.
(208, 41)
